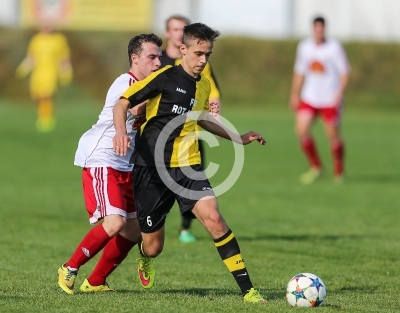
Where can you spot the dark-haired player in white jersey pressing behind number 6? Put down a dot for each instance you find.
(107, 182)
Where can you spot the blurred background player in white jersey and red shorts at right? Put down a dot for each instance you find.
(321, 74)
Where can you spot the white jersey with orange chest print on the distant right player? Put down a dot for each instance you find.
(322, 65)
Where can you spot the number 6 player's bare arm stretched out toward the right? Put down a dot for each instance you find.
(212, 125)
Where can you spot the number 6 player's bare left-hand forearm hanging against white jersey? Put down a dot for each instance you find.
(121, 140)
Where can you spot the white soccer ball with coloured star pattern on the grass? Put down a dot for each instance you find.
(305, 290)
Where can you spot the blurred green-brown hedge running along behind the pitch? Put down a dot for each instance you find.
(251, 72)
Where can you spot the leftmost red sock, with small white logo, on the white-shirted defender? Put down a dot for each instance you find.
(94, 241)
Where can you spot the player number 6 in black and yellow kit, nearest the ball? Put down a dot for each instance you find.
(177, 101)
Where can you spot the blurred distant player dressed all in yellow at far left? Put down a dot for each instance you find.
(48, 62)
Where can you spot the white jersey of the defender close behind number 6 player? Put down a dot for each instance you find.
(95, 147)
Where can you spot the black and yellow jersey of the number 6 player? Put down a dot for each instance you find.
(176, 99)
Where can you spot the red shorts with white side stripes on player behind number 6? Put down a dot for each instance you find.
(106, 192)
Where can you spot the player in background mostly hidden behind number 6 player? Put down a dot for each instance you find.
(172, 56)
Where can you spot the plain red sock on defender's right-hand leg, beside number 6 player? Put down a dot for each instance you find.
(114, 253)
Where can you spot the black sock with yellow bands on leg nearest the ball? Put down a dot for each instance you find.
(228, 249)
